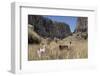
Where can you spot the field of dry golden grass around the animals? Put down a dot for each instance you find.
(78, 49)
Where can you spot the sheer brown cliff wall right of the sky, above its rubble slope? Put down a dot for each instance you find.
(82, 24)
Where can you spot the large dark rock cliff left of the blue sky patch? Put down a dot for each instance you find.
(47, 28)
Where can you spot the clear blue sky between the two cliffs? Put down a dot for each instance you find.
(70, 20)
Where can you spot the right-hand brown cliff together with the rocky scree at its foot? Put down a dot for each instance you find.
(82, 28)
